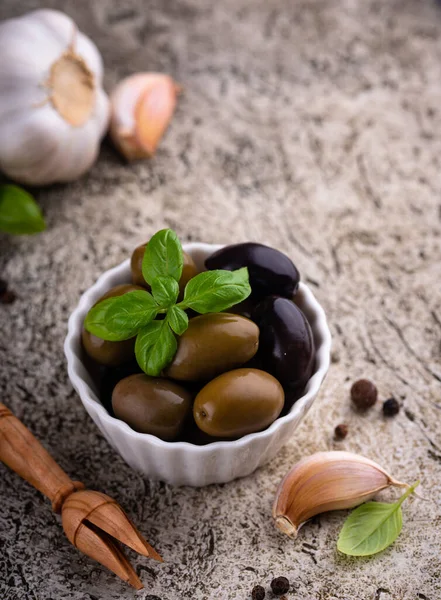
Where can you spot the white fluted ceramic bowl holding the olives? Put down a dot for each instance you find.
(182, 463)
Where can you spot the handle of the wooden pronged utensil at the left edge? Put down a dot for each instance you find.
(24, 454)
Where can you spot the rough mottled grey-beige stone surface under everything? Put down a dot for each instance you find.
(314, 126)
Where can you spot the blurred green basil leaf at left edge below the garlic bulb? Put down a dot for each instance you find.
(19, 213)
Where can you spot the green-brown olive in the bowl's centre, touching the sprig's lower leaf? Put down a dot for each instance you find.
(212, 344)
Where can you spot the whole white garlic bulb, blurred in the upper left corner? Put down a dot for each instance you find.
(53, 110)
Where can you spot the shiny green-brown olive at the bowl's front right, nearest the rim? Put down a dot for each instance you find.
(238, 402)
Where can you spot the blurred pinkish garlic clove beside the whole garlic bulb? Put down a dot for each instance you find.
(142, 107)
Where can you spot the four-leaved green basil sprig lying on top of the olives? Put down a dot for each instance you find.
(156, 318)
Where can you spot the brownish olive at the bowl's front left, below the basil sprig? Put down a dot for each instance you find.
(152, 405)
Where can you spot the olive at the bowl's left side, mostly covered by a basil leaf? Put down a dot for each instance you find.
(111, 354)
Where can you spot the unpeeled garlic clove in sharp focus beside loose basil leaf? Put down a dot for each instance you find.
(327, 481)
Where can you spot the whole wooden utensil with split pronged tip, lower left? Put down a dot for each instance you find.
(92, 521)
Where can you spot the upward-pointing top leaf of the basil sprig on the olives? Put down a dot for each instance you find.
(163, 256)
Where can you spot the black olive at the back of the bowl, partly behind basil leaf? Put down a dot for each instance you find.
(270, 271)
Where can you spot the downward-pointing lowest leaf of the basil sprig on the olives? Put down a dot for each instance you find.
(155, 347)
